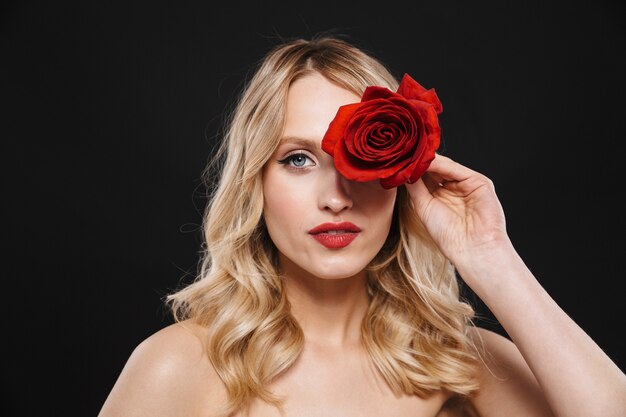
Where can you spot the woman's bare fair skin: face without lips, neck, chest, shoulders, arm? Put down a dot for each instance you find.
(551, 367)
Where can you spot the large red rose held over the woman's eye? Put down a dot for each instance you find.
(388, 136)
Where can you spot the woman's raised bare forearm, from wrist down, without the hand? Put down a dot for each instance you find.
(576, 376)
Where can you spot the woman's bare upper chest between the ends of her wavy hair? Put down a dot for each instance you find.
(343, 384)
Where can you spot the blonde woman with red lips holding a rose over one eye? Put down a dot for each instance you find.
(324, 295)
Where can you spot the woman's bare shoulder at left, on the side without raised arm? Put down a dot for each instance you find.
(168, 373)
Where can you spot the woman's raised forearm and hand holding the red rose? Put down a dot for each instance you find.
(460, 210)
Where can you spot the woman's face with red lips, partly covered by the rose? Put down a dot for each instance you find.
(303, 190)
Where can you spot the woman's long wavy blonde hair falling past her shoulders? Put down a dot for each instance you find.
(415, 329)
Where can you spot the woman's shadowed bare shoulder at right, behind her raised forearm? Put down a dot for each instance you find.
(507, 385)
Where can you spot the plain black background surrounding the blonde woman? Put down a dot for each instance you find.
(109, 116)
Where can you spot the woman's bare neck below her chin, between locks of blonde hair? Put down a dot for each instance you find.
(330, 311)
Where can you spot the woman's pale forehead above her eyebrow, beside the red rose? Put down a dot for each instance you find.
(312, 103)
